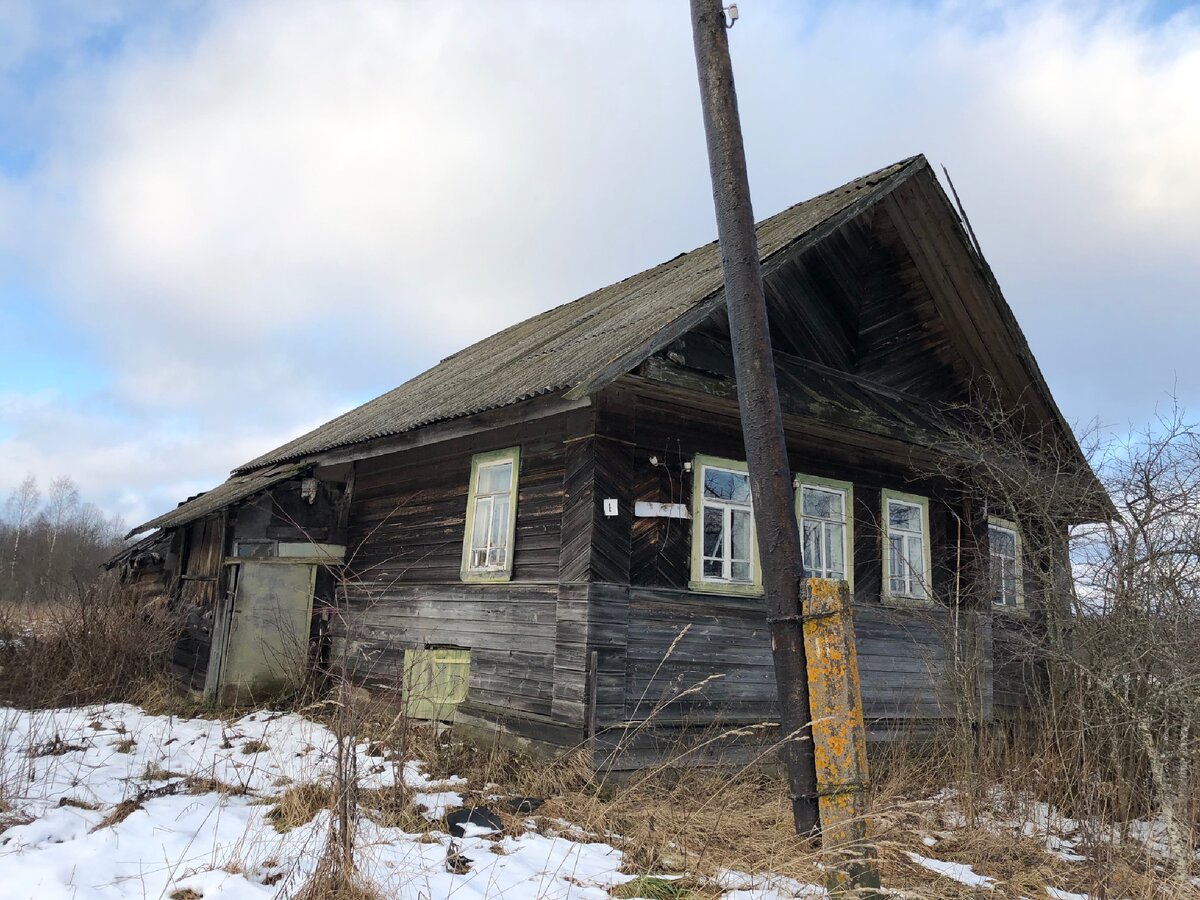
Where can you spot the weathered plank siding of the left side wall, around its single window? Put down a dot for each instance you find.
(403, 586)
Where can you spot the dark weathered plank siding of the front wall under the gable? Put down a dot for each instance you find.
(694, 658)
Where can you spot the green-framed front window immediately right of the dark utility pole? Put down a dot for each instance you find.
(824, 509)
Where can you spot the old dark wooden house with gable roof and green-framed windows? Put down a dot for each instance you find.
(518, 538)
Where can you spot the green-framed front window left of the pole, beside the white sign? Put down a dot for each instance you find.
(724, 555)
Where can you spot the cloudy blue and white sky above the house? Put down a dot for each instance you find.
(221, 224)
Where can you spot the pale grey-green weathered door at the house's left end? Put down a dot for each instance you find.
(267, 650)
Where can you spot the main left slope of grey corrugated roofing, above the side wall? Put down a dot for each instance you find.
(571, 345)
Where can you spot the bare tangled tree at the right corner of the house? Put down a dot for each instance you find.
(1111, 638)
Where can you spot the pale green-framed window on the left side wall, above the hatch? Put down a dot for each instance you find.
(491, 517)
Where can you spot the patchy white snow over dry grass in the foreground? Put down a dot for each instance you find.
(110, 802)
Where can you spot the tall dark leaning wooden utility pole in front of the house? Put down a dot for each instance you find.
(763, 427)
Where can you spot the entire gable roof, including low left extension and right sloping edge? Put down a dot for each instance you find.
(583, 346)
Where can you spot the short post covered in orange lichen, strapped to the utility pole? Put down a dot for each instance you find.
(839, 736)
